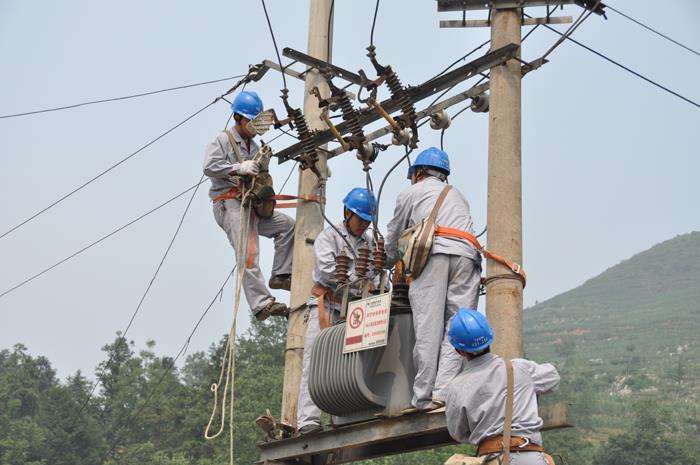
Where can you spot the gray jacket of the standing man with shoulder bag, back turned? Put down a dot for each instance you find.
(415, 203)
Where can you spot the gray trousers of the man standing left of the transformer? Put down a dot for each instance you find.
(307, 412)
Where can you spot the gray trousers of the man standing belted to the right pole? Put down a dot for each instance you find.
(446, 284)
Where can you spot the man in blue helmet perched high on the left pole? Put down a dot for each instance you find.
(227, 159)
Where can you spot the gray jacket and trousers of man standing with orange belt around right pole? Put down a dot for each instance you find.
(449, 281)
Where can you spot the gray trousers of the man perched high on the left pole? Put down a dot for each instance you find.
(279, 227)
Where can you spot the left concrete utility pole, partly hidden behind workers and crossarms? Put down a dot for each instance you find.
(309, 221)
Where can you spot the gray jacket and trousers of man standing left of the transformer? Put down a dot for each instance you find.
(327, 245)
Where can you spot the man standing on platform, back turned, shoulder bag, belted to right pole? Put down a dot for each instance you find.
(448, 276)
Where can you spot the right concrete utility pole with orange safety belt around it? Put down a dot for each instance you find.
(504, 297)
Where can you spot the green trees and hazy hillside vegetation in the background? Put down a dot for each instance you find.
(626, 343)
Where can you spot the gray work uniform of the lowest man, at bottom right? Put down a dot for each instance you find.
(475, 402)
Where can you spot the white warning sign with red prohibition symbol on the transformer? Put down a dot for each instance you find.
(367, 324)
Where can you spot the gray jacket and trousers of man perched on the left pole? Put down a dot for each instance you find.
(220, 161)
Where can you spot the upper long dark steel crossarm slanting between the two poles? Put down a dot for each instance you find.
(369, 115)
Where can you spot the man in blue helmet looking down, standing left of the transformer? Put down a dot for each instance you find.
(359, 207)
